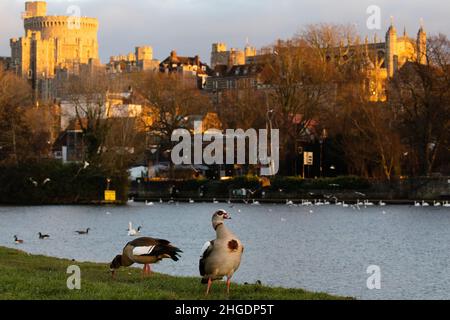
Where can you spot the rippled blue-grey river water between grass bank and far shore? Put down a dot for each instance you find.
(317, 248)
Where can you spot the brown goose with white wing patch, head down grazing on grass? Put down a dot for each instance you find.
(145, 251)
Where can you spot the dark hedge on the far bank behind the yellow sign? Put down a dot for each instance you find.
(68, 183)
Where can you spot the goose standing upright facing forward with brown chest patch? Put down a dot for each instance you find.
(222, 256)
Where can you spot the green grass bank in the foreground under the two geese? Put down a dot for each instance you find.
(30, 277)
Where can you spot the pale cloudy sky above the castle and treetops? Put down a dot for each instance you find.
(191, 26)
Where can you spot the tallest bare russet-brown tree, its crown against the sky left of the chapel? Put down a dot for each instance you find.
(302, 77)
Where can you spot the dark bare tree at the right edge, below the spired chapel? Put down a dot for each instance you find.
(421, 96)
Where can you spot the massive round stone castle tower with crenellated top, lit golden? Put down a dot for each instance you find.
(51, 43)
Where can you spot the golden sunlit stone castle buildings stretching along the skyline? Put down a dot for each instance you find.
(57, 46)
